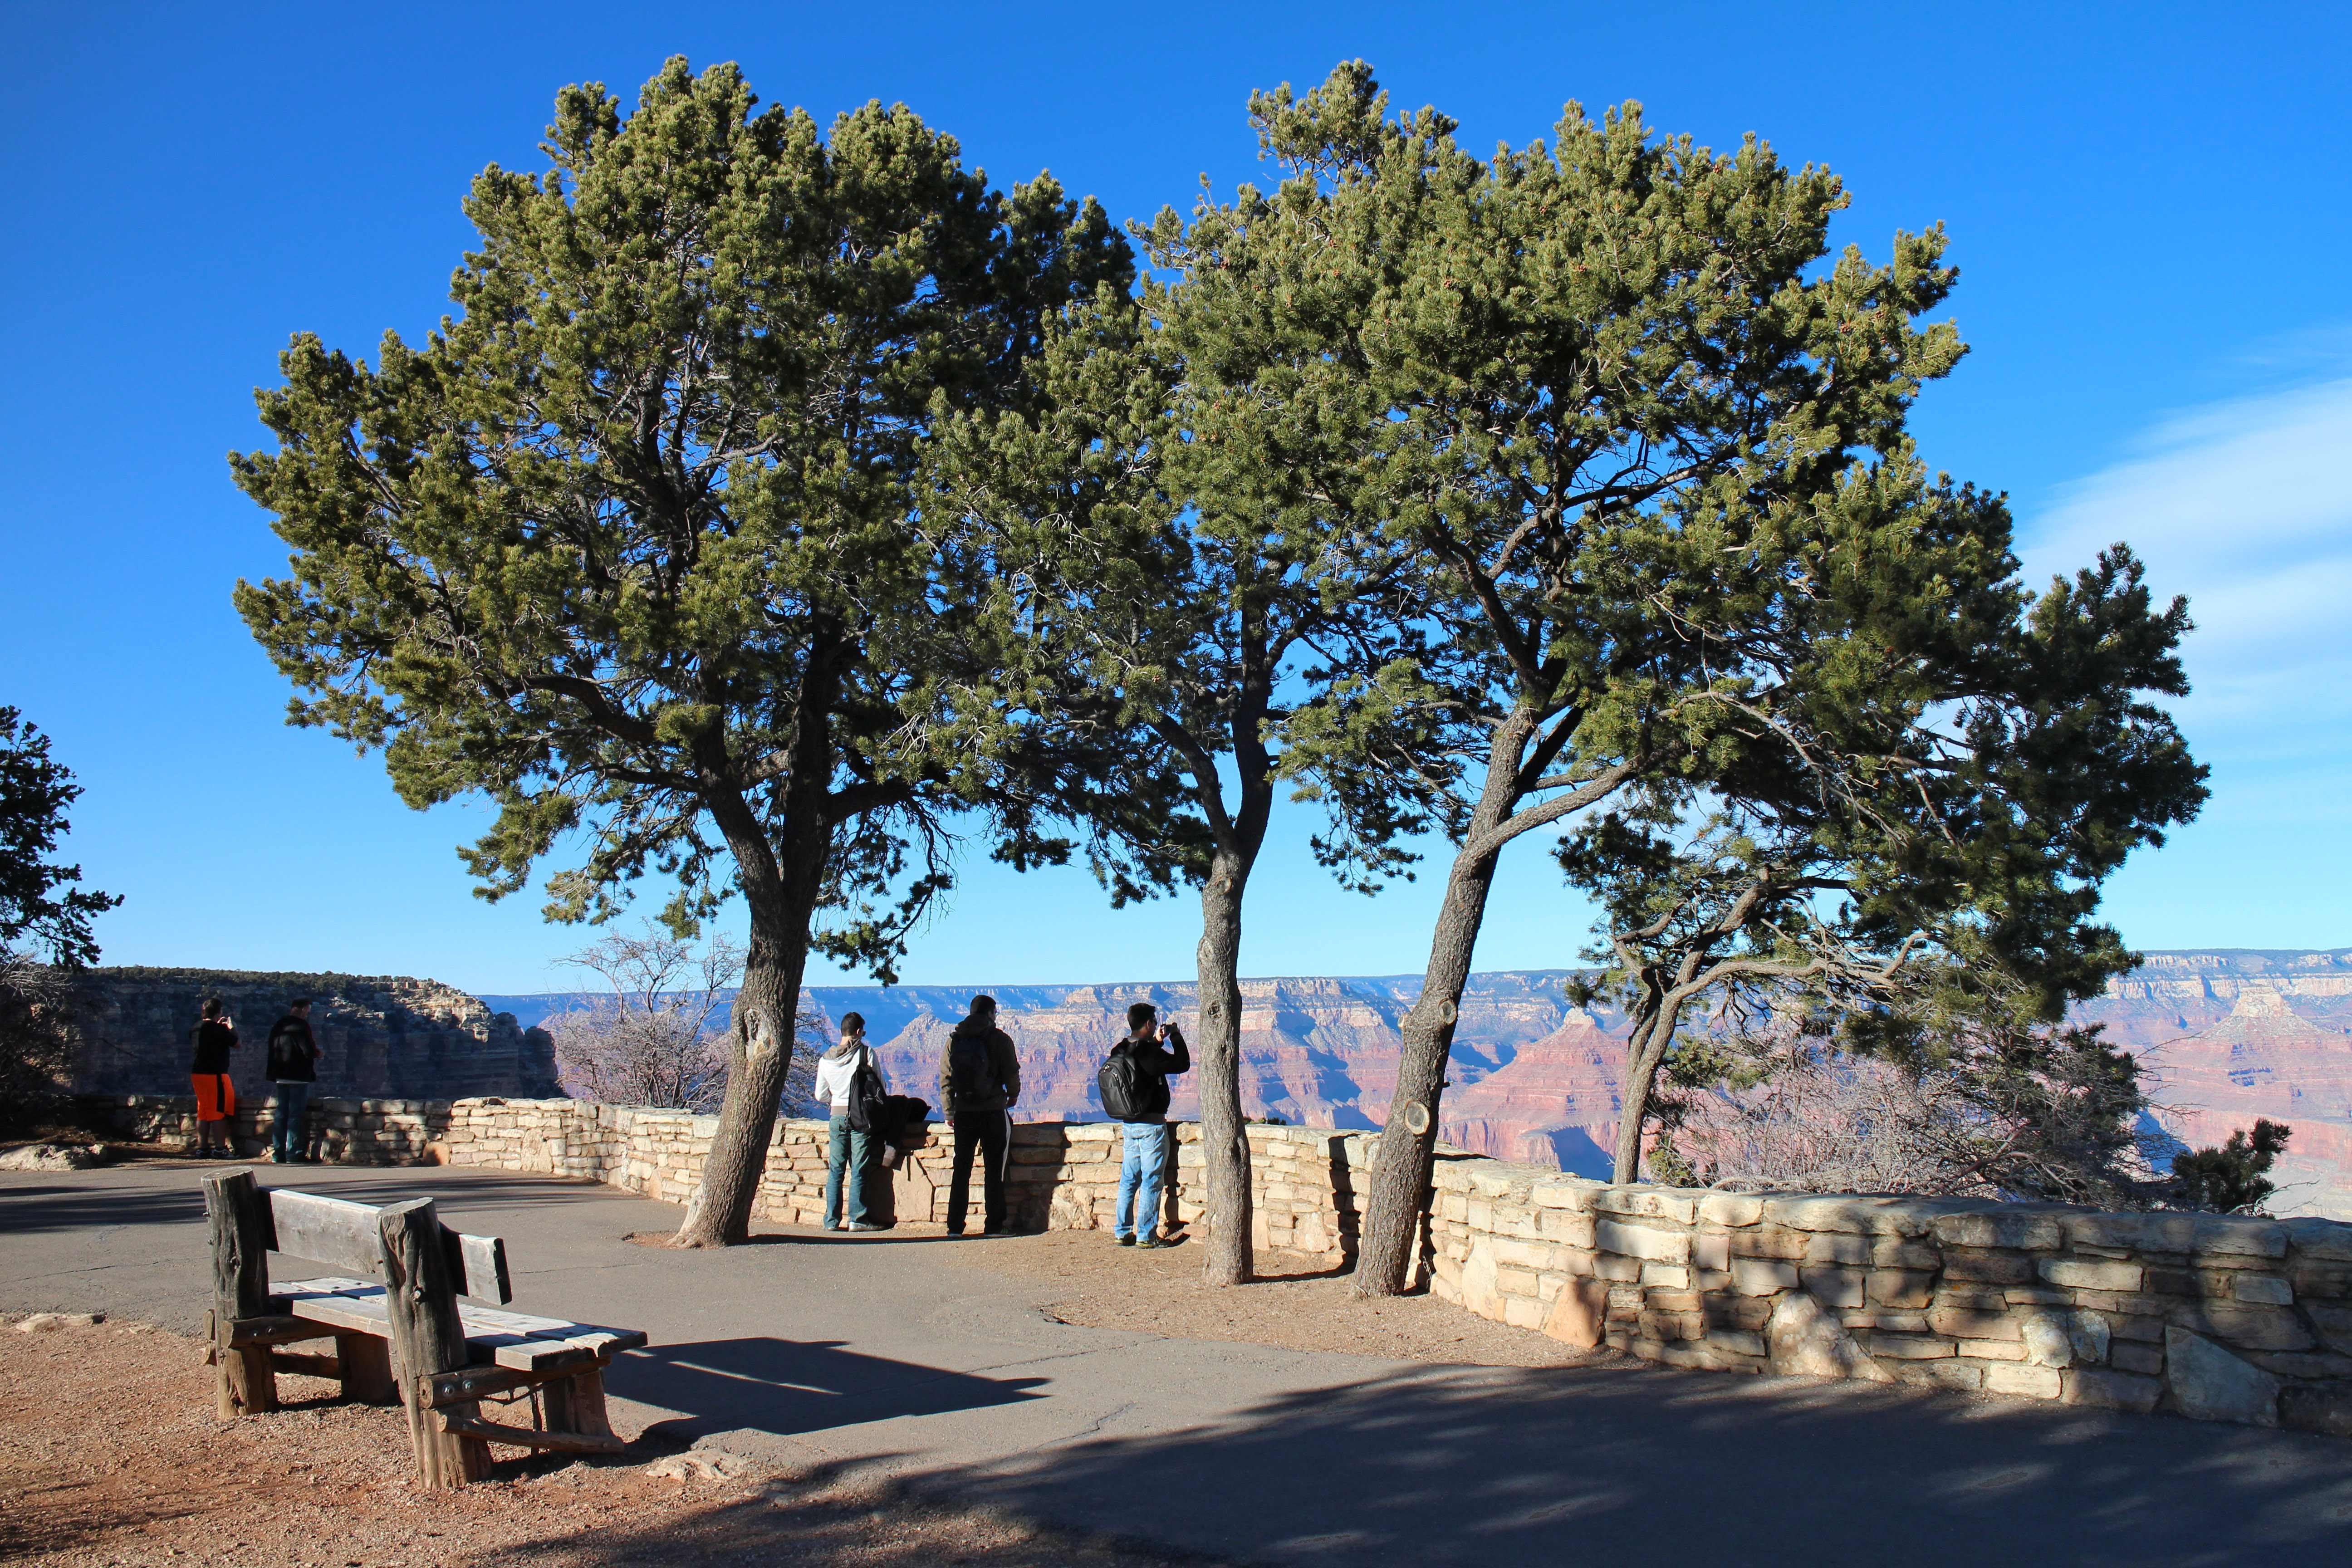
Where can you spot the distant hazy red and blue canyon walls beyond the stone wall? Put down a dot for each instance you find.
(2226, 1036)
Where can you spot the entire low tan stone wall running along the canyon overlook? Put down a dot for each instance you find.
(2214, 1318)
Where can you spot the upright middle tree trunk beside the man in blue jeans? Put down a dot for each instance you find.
(1224, 1137)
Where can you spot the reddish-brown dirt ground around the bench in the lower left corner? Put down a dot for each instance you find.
(109, 1454)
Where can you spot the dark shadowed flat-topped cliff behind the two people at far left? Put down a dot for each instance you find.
(382, 1036)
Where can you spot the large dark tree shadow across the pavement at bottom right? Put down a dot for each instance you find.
(1549, 1466)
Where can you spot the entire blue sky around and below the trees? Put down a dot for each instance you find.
(2149, 208)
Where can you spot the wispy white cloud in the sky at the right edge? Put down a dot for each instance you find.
(2247, 509)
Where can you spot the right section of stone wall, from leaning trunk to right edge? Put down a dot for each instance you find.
(2207, 1315)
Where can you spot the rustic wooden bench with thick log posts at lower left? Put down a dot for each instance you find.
(401, 1334)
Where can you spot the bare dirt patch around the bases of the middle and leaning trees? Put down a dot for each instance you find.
(1299, 1304)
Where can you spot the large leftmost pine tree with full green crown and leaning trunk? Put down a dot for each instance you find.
(632, 544)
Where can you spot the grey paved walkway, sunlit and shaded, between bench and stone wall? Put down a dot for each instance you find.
(869, 1355)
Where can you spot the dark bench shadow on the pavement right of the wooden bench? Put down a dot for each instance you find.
(794, 1386)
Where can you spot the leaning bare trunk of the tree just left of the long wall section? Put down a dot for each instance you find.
(1401, 1179)
